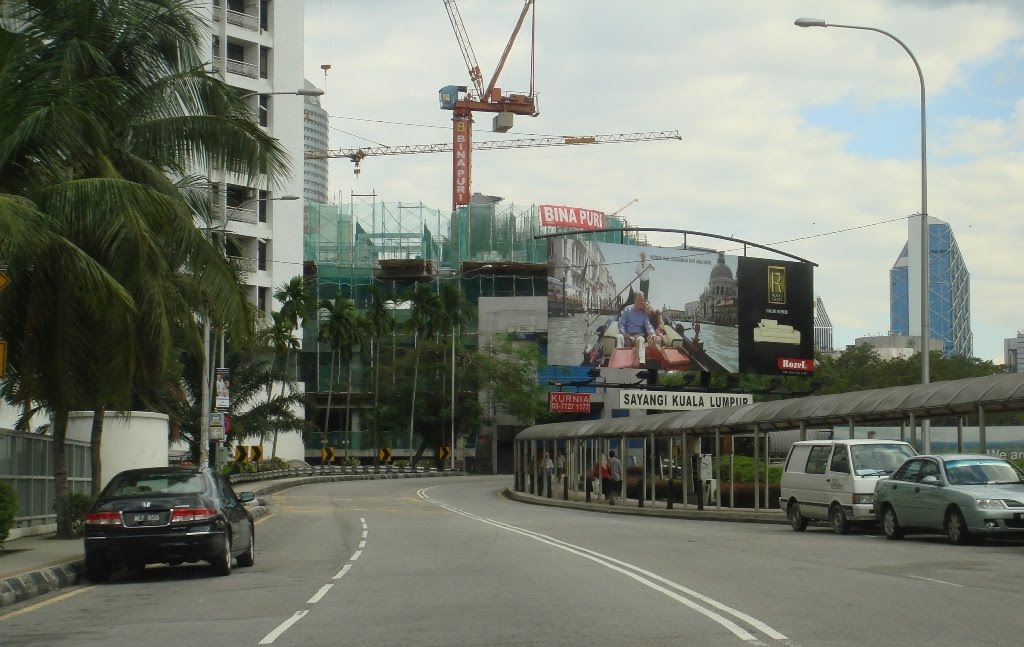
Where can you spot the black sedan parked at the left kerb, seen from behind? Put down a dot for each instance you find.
(168, 515)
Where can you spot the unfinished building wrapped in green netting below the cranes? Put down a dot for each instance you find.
(489, 247)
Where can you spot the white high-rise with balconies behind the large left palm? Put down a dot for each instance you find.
(257, 48)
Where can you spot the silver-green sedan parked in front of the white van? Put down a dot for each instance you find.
(961, 495)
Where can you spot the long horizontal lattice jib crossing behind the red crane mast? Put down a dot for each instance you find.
(358, 155)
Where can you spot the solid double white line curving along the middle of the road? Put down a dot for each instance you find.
(642, 576)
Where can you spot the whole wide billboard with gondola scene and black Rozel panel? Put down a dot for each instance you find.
(720, 314)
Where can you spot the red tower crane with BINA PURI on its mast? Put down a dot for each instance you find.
(464, 102)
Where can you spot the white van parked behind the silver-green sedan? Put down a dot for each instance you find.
(835, 480)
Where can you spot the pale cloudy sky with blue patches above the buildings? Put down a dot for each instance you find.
(804, 140)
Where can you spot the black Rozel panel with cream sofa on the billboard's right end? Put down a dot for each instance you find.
(777, 317)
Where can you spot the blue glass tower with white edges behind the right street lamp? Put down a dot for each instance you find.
(949, 294)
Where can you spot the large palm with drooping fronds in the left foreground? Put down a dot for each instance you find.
(102, 104)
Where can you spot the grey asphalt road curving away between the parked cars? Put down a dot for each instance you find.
(451, 563)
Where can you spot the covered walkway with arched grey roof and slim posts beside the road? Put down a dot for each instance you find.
(587, 442)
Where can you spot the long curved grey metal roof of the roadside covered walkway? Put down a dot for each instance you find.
(997, 394)
